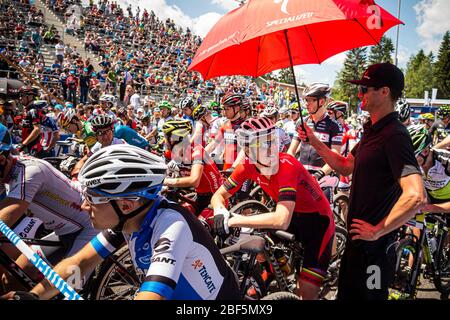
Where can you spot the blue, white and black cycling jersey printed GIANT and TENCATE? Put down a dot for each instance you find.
(176, 253)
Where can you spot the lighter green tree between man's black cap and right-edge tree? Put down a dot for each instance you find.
(419, 75)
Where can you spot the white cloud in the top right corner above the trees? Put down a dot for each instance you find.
(433, 22)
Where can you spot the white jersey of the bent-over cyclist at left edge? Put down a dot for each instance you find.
(51, 195)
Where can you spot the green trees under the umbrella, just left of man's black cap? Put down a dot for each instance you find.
(354, 65)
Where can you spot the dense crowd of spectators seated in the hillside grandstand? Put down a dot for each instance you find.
(143, 59)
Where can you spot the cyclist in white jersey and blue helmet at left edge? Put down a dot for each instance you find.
(33, 187)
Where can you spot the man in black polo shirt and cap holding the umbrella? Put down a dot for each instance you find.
(387, 187)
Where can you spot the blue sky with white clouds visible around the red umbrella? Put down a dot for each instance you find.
(425, 23)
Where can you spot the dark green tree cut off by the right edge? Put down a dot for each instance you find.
(441, 68)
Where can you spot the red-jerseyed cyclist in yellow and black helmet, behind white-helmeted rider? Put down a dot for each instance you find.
(197, 169)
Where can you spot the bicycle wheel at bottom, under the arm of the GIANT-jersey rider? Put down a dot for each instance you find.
(114, 283)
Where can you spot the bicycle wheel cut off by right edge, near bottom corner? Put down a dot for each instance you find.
(442, 275)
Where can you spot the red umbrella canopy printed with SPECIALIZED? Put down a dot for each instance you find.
(253, 39)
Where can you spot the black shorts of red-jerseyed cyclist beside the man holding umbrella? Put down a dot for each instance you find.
(316, 233)
